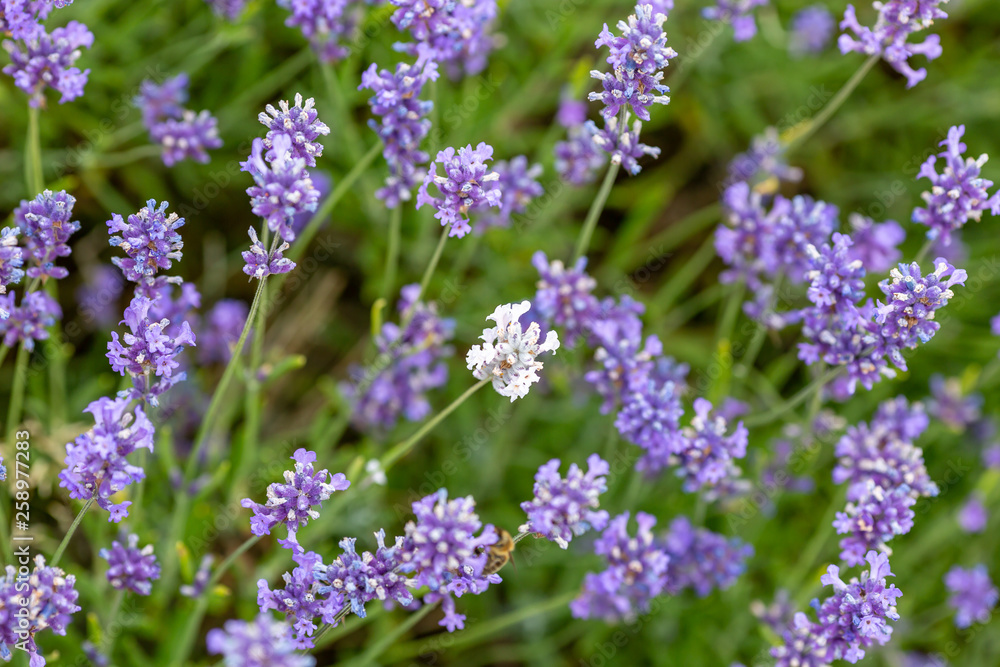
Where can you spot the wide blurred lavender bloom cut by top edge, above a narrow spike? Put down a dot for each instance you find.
(456, 34)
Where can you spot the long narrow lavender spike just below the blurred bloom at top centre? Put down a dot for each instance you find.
(404, 124)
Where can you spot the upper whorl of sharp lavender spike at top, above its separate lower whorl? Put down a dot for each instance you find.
(637, 60)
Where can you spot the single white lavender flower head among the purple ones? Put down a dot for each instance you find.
(508, 353)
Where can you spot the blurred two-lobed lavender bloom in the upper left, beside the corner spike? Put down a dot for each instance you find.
(182, 133)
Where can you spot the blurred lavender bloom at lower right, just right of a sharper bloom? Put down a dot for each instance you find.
(702, 560)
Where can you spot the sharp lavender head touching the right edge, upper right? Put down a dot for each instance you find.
(958, 194)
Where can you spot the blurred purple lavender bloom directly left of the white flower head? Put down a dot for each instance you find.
(416, 355)
